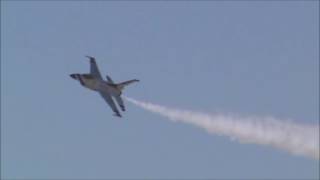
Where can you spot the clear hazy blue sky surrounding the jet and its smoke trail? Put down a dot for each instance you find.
(249, 58)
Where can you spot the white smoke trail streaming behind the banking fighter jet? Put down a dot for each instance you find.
(295, 138)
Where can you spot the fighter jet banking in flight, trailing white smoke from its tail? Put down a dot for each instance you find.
(107, 89)
